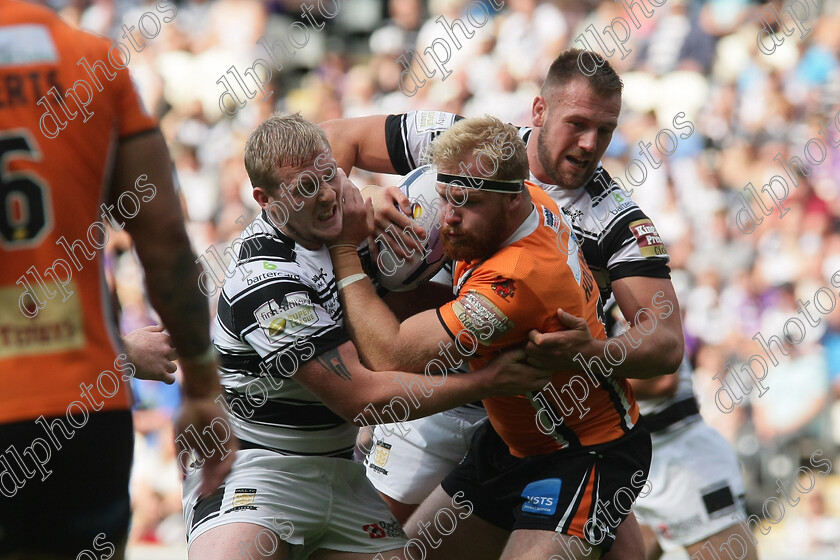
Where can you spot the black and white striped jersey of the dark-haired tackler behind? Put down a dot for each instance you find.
(618, 240)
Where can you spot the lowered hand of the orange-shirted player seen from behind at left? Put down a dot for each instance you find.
(202, 426)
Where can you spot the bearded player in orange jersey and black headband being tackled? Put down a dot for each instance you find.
(544, 472)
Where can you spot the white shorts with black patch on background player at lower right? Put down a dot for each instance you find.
(696, 486)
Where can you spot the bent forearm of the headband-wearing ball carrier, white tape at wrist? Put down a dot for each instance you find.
(372, 325)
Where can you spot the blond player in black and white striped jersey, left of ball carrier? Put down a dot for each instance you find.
(292, 377)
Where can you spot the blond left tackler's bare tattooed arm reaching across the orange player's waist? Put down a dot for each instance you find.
(362, 396)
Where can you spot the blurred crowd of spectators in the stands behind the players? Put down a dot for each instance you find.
(700, 69)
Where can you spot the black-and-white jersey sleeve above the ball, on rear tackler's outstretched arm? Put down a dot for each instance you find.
(408, 135)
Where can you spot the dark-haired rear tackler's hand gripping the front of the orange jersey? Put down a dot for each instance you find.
(557, 350)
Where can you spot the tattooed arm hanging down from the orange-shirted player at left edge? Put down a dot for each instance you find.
(143, 168)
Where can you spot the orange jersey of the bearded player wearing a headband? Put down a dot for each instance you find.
(519, 288)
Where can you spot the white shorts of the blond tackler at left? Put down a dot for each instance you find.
(309, 502)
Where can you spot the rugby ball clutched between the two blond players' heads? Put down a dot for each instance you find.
(395, 273)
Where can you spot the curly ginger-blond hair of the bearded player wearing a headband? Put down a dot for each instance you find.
(482, 136)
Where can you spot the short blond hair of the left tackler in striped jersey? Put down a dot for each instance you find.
(281, 141)
